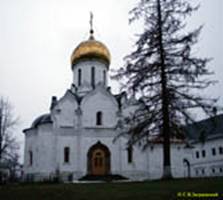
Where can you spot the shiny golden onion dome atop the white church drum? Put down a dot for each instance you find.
(90, 48)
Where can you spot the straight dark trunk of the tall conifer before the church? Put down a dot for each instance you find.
(165, 103)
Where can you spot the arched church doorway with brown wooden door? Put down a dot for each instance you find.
(98, 160)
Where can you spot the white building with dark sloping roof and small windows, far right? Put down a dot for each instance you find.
(206, 138)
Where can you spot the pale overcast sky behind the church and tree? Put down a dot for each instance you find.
(38, 37)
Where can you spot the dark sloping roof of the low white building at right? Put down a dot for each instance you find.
(206, 129)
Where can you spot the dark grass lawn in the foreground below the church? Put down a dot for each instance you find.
(153, 190)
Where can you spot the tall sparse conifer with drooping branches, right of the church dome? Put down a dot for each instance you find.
(166, 75)
